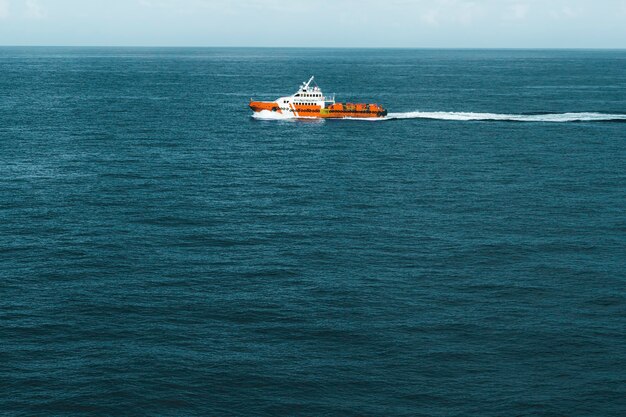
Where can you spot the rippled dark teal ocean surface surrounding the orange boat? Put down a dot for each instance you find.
(164, 253)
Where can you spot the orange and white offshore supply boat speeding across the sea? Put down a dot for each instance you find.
(310, 103)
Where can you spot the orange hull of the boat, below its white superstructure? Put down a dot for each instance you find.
(335, 111)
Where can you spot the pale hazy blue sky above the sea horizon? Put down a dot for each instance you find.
(316, 23)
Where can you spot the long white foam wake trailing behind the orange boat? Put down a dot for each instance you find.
(550, 117)
